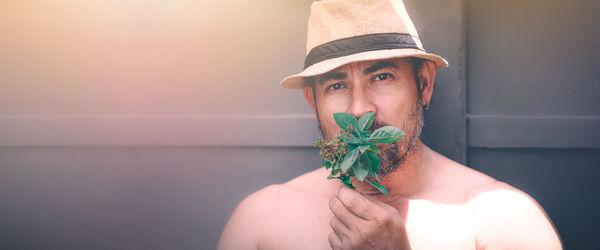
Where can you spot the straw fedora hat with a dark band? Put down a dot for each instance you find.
(345, 31)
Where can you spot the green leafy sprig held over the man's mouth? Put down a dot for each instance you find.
(354, 153)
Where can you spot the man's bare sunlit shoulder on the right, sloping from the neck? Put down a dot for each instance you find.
(504, 217)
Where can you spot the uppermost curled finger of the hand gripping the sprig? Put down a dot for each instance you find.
(357, 203)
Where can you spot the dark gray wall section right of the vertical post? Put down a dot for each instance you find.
(534, 105)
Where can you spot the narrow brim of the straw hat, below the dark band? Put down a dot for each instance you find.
(297, 82)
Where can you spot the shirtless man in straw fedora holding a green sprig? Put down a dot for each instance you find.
(365, 56)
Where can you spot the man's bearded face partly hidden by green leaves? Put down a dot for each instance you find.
(386, 87)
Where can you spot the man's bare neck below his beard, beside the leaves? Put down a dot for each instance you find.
(406, 181)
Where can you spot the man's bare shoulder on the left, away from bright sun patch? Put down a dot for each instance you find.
(265, 214)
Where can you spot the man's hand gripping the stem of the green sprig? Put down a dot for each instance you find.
(361, 223)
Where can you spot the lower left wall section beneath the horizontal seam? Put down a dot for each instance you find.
(132, 197)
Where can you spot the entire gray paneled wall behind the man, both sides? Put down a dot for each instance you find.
(141, 125)
